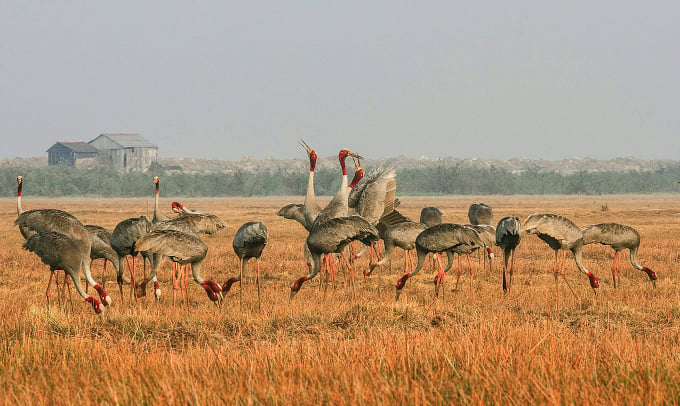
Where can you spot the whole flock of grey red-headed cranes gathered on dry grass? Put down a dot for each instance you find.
(363, 209)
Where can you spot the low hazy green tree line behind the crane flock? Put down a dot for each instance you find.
(438, 180)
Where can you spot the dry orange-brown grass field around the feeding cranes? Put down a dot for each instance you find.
(471, 346)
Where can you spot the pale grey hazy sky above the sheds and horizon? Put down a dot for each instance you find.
(226, 79)
